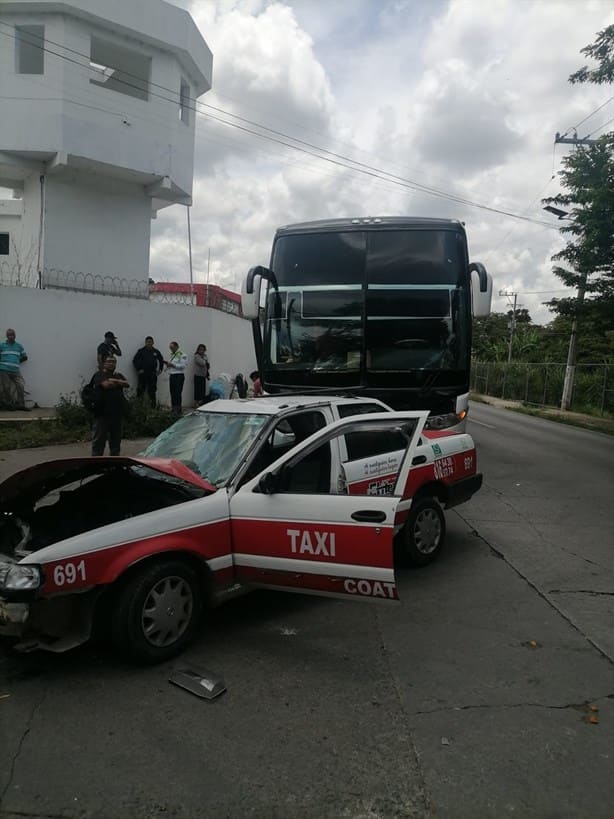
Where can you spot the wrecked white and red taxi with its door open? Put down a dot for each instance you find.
(296, 493)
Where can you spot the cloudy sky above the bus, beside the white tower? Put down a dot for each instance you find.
(460, 96)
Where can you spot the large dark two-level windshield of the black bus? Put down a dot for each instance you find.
(368, 305)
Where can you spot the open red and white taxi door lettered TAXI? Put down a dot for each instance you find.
(289, 531)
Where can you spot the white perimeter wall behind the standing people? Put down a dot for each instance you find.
(61, 331)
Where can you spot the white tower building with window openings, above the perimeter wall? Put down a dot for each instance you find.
(96, 131)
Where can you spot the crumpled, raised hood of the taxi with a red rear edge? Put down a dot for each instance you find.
(52, 474)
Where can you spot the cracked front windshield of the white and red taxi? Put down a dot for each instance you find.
(211, 444)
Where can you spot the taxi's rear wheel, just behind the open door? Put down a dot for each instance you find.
(421, 539)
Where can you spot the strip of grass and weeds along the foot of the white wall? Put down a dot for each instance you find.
(73, 425)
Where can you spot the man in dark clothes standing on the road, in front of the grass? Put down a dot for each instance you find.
(108, 408)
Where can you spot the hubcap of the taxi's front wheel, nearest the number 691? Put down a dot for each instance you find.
(167, 611)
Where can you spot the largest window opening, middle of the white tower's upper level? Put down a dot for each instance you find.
(120, 69)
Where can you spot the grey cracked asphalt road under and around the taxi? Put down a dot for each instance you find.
(472, 698)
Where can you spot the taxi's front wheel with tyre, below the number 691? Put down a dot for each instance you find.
(157, 611)
